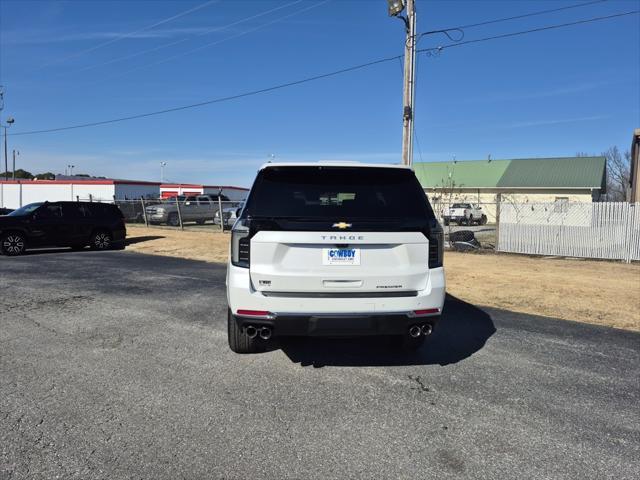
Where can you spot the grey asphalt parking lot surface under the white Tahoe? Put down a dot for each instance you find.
(116, 365)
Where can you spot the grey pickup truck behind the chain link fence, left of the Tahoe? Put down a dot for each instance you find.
(197, 209)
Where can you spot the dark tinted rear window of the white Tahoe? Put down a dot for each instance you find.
(337, 193)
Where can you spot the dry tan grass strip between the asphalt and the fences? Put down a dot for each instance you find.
(603, 293)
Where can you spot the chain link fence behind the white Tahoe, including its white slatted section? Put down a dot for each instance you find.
(604, 230)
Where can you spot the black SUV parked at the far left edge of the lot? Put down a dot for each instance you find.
(62, 224)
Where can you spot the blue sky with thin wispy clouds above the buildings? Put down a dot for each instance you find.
(62, 63)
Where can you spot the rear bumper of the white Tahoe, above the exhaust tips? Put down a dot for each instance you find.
(339, 315)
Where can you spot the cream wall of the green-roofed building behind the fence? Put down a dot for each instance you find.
(488, 198)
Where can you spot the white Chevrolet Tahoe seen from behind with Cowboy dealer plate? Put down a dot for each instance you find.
(334, 249)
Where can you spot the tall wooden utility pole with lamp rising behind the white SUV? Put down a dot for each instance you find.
(408, 90)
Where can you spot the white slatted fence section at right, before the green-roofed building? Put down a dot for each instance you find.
(589, 230)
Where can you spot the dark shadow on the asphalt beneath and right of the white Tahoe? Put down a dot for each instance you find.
(463, 330)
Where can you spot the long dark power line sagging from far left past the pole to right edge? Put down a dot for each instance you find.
(318, 77)
